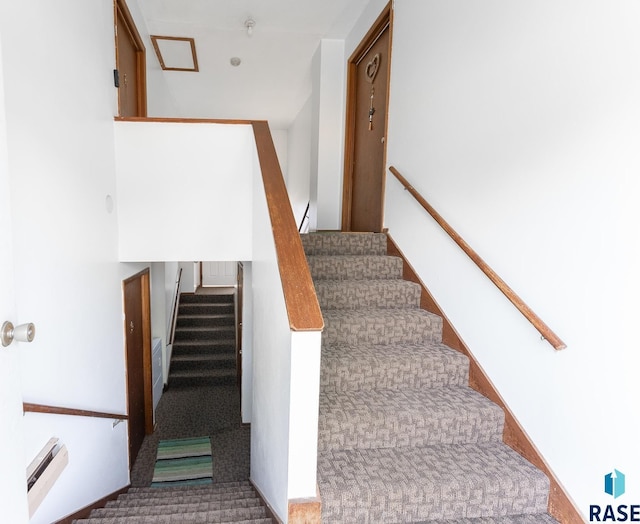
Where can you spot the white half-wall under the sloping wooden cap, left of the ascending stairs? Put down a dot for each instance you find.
(286, 374)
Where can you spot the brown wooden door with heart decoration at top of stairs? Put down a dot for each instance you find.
(369, 93)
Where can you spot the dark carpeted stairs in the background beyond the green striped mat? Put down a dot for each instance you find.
(204, 350)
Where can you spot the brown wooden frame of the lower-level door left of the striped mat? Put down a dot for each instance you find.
(147, 378)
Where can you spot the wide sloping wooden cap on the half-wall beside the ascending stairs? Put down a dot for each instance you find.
(300, 298)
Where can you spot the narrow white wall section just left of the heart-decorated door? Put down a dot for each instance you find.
(327, 138)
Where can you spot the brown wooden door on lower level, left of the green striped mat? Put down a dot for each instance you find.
(138, 354)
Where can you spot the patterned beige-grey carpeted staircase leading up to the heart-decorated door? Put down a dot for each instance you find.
(402, 437)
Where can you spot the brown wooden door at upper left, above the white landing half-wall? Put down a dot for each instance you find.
(130, 63)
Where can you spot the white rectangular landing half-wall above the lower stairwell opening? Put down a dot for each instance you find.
(187, 183)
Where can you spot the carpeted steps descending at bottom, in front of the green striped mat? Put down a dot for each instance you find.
(231, 502)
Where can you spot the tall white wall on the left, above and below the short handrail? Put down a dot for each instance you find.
(59, 123)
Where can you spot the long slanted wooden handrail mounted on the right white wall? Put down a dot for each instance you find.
(537, 322)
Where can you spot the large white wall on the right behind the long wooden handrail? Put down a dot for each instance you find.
(520, 123)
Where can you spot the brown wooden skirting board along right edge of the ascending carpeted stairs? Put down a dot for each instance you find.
(560, 506)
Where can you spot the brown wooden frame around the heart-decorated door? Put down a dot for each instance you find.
(383, 22)
